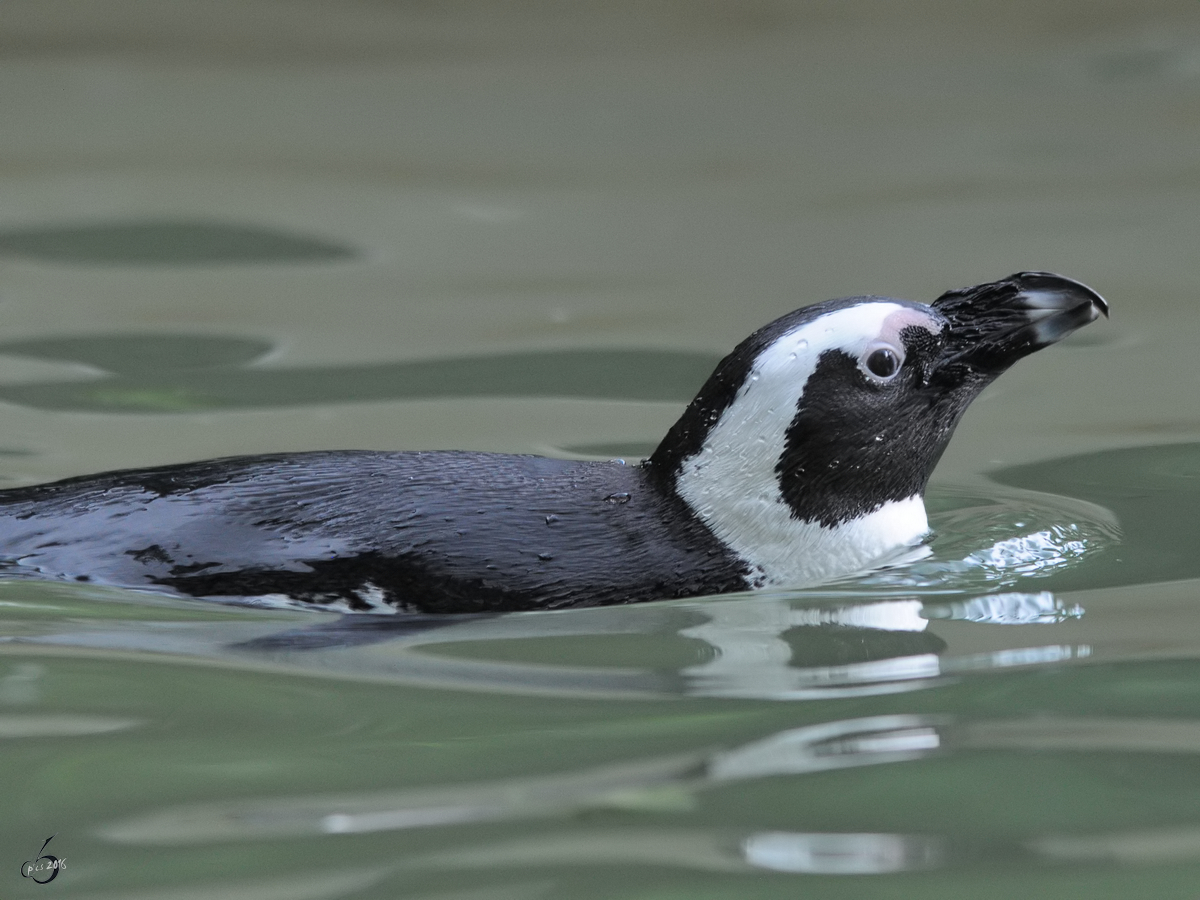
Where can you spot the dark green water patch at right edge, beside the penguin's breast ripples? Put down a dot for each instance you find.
(1155, 494)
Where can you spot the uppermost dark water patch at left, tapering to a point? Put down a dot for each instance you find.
(167, 243)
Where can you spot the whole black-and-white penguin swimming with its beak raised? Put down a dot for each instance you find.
(803, 459)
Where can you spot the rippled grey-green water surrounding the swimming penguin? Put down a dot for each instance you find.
(260, 227)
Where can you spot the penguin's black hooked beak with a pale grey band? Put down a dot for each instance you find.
(993, 326)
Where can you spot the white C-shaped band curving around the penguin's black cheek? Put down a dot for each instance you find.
(733, 487)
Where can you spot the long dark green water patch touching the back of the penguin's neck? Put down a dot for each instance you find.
(176, 374)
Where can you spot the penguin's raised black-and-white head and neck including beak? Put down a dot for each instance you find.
(818, 435)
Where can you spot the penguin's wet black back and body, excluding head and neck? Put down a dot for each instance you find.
(430, 532)
